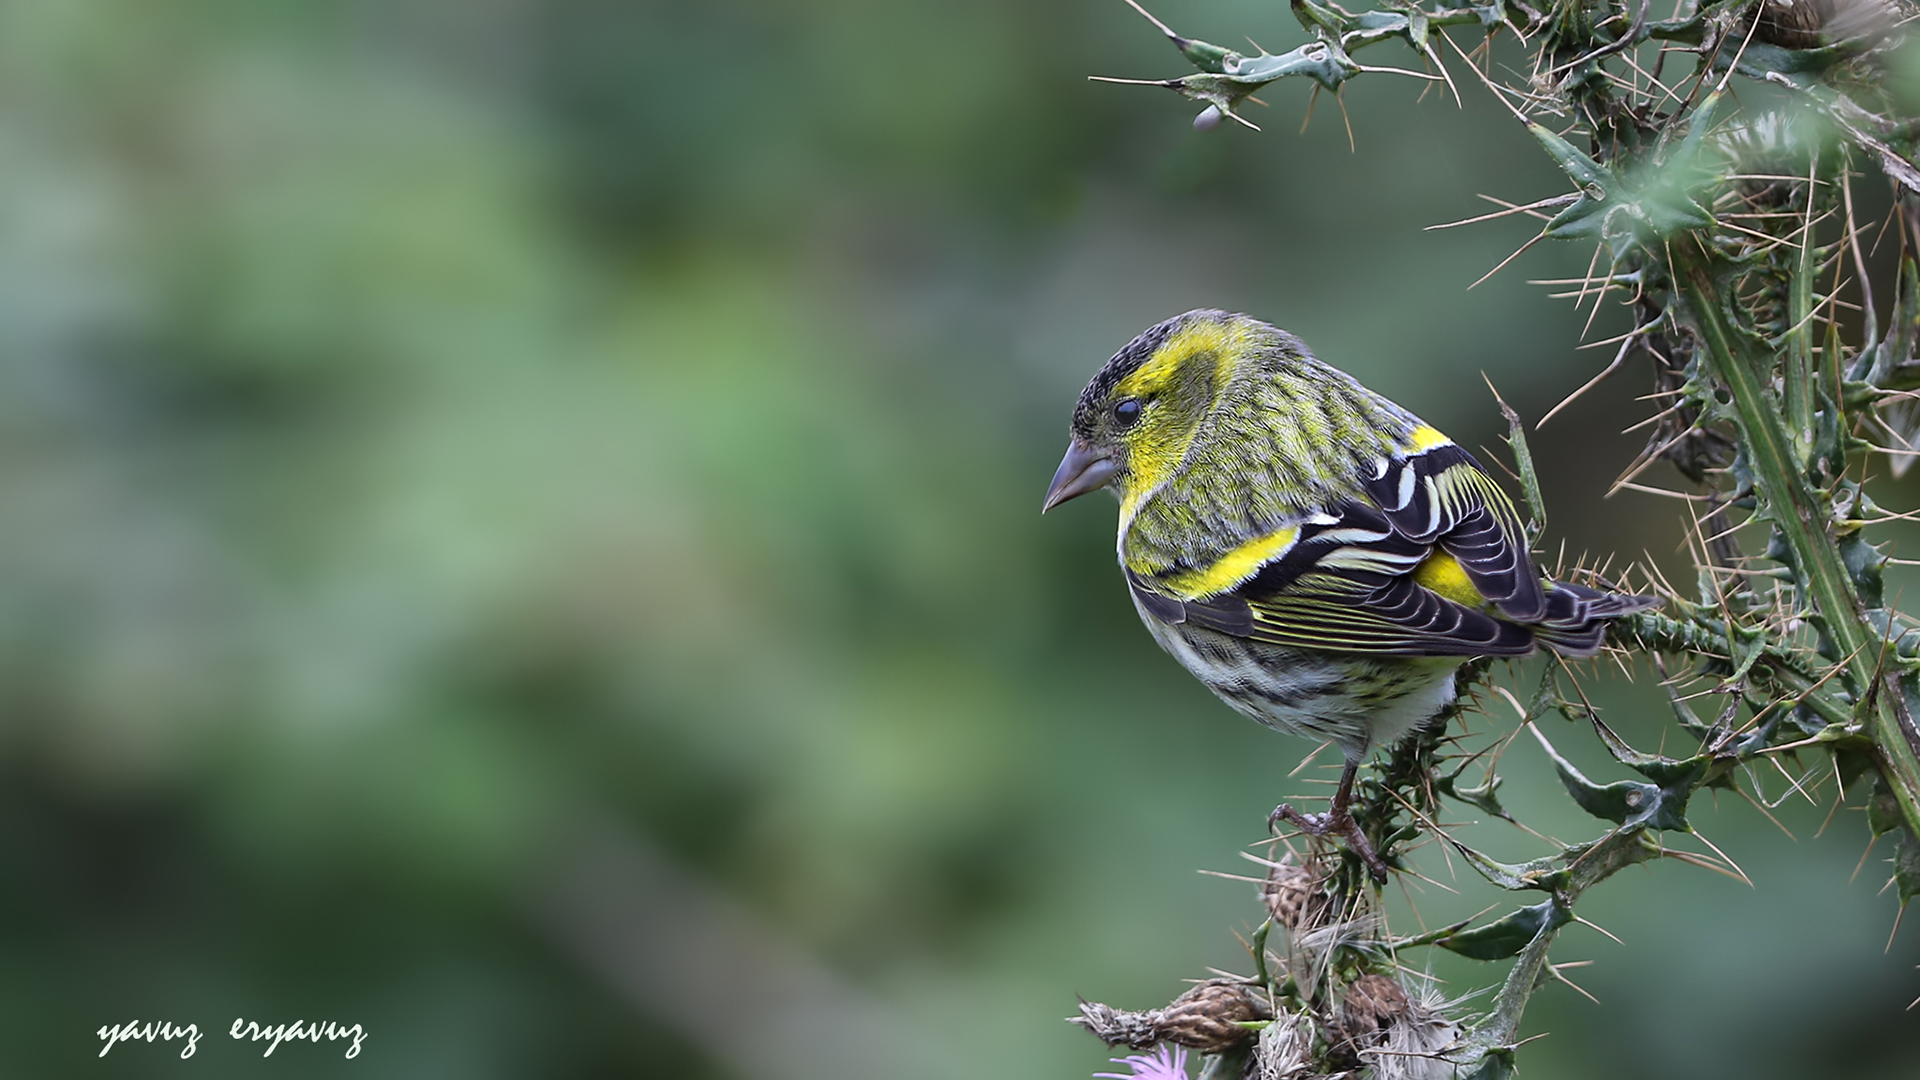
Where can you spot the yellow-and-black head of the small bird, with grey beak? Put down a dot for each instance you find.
(1140, 416)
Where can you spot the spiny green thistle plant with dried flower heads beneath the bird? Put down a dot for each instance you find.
(1781, 387)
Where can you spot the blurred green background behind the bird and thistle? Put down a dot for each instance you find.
(521, 533)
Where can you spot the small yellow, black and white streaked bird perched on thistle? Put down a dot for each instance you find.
(1314, 554)
